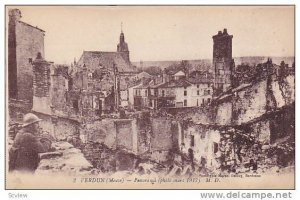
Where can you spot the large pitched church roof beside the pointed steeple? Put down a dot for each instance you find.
(98, 59)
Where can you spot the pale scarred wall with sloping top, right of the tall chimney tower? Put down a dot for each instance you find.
(246, 103)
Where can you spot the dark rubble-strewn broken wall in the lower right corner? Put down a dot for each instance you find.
(268, 142)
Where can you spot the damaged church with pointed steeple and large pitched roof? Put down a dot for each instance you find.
(105, 72)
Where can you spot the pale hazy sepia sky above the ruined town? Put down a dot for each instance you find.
(162, 33)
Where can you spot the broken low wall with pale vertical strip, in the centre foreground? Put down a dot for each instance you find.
(130, 138)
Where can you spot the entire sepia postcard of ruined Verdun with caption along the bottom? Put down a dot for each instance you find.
(150, 97)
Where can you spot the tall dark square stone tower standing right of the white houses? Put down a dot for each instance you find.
(223, 64)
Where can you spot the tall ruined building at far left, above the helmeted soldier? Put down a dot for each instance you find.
(24, 42)
